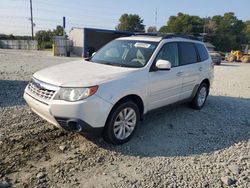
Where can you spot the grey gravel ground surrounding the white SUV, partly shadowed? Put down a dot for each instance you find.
(173, 147)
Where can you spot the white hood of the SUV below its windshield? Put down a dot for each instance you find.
(81, 74)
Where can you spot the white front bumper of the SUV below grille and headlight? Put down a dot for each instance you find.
(91, 113)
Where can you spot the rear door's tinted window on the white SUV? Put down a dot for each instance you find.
(187, 53)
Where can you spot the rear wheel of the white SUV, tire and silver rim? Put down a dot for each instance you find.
(200, 97)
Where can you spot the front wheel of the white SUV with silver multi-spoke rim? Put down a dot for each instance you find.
(118, 130)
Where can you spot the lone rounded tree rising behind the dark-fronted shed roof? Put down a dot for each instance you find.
(130, 22)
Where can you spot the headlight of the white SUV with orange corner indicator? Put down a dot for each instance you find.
(75, 94)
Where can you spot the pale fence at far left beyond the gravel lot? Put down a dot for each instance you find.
(19, 44)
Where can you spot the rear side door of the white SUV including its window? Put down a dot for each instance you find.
(191, 68)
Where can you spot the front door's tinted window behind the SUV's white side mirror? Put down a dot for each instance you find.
(169, 52)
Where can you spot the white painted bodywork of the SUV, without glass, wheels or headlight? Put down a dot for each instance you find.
(155, 88)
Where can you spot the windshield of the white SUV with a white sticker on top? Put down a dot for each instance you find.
(125, 53)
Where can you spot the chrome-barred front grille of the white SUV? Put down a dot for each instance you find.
(38, 90)
